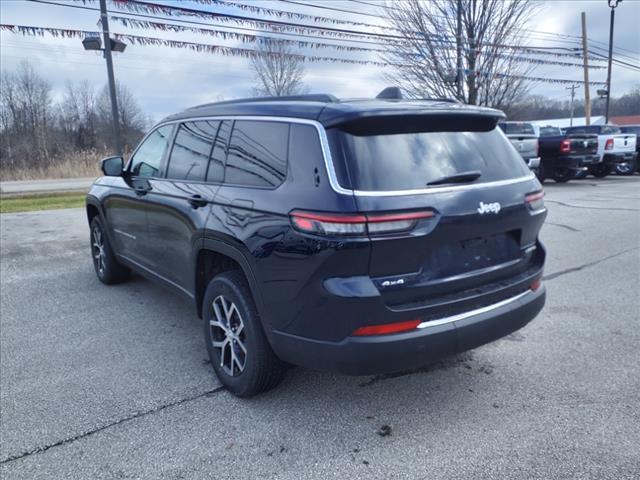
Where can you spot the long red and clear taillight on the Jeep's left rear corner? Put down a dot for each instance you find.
(356, 224)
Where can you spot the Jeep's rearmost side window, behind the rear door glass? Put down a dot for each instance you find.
(257, 154)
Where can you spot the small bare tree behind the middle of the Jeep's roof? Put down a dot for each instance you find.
(277, 70)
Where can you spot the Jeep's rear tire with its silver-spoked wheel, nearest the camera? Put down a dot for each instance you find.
(237, 345)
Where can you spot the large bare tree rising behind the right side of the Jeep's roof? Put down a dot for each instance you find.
(425, 57)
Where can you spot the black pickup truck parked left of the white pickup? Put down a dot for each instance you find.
(563, 156)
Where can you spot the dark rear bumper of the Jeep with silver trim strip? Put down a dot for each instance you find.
(404, 351)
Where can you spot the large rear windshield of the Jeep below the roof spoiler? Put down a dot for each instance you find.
(408, 161)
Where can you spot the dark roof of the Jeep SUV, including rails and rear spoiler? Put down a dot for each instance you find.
(329, 110)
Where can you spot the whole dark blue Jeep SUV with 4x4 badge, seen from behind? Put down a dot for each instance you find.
(360, 236)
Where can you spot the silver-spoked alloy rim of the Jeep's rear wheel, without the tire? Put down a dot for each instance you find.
(228, 336)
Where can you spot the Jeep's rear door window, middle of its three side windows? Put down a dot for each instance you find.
(191, 148)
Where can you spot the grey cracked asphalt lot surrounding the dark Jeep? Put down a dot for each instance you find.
(112, 382)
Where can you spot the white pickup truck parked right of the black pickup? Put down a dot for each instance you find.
(614, 147)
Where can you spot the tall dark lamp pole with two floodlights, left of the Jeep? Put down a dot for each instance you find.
(93, 42)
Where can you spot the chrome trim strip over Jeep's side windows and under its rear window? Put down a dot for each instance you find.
(328, 160)
